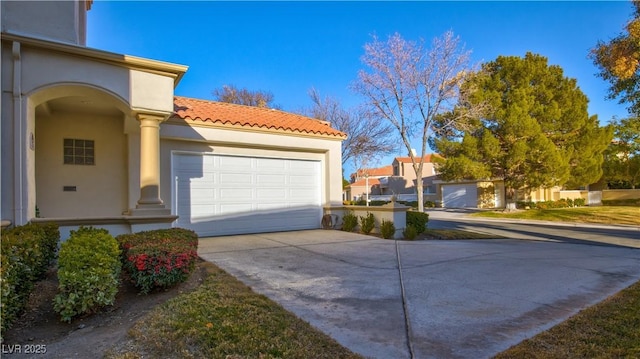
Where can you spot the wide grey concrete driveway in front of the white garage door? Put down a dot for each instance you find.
(424, 299)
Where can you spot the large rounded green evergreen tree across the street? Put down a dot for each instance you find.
(534, 132)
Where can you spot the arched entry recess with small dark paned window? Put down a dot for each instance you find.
(80, 147)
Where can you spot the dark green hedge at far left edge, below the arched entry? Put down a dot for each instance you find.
(26, 252)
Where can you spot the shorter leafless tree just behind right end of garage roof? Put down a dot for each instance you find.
(368, 136)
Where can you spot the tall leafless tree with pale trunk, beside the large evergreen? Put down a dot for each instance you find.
(409, 86)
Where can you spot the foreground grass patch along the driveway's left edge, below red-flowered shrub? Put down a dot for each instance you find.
(223, 318)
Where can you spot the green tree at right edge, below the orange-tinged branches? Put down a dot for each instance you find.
(622, 157)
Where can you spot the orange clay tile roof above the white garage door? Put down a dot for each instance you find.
(203, 111)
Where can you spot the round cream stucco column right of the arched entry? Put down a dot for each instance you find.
(150, 165)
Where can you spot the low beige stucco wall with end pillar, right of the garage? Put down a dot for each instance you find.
(393, 211)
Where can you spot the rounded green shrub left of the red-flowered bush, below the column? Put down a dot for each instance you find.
(88, 272)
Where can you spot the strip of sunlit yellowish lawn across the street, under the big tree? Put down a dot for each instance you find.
(603, 215)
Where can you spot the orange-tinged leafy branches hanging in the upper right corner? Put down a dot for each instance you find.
(619, 63)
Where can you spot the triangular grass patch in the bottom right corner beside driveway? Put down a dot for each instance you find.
(610, 329)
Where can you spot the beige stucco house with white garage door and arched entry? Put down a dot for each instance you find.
(96, 138)
